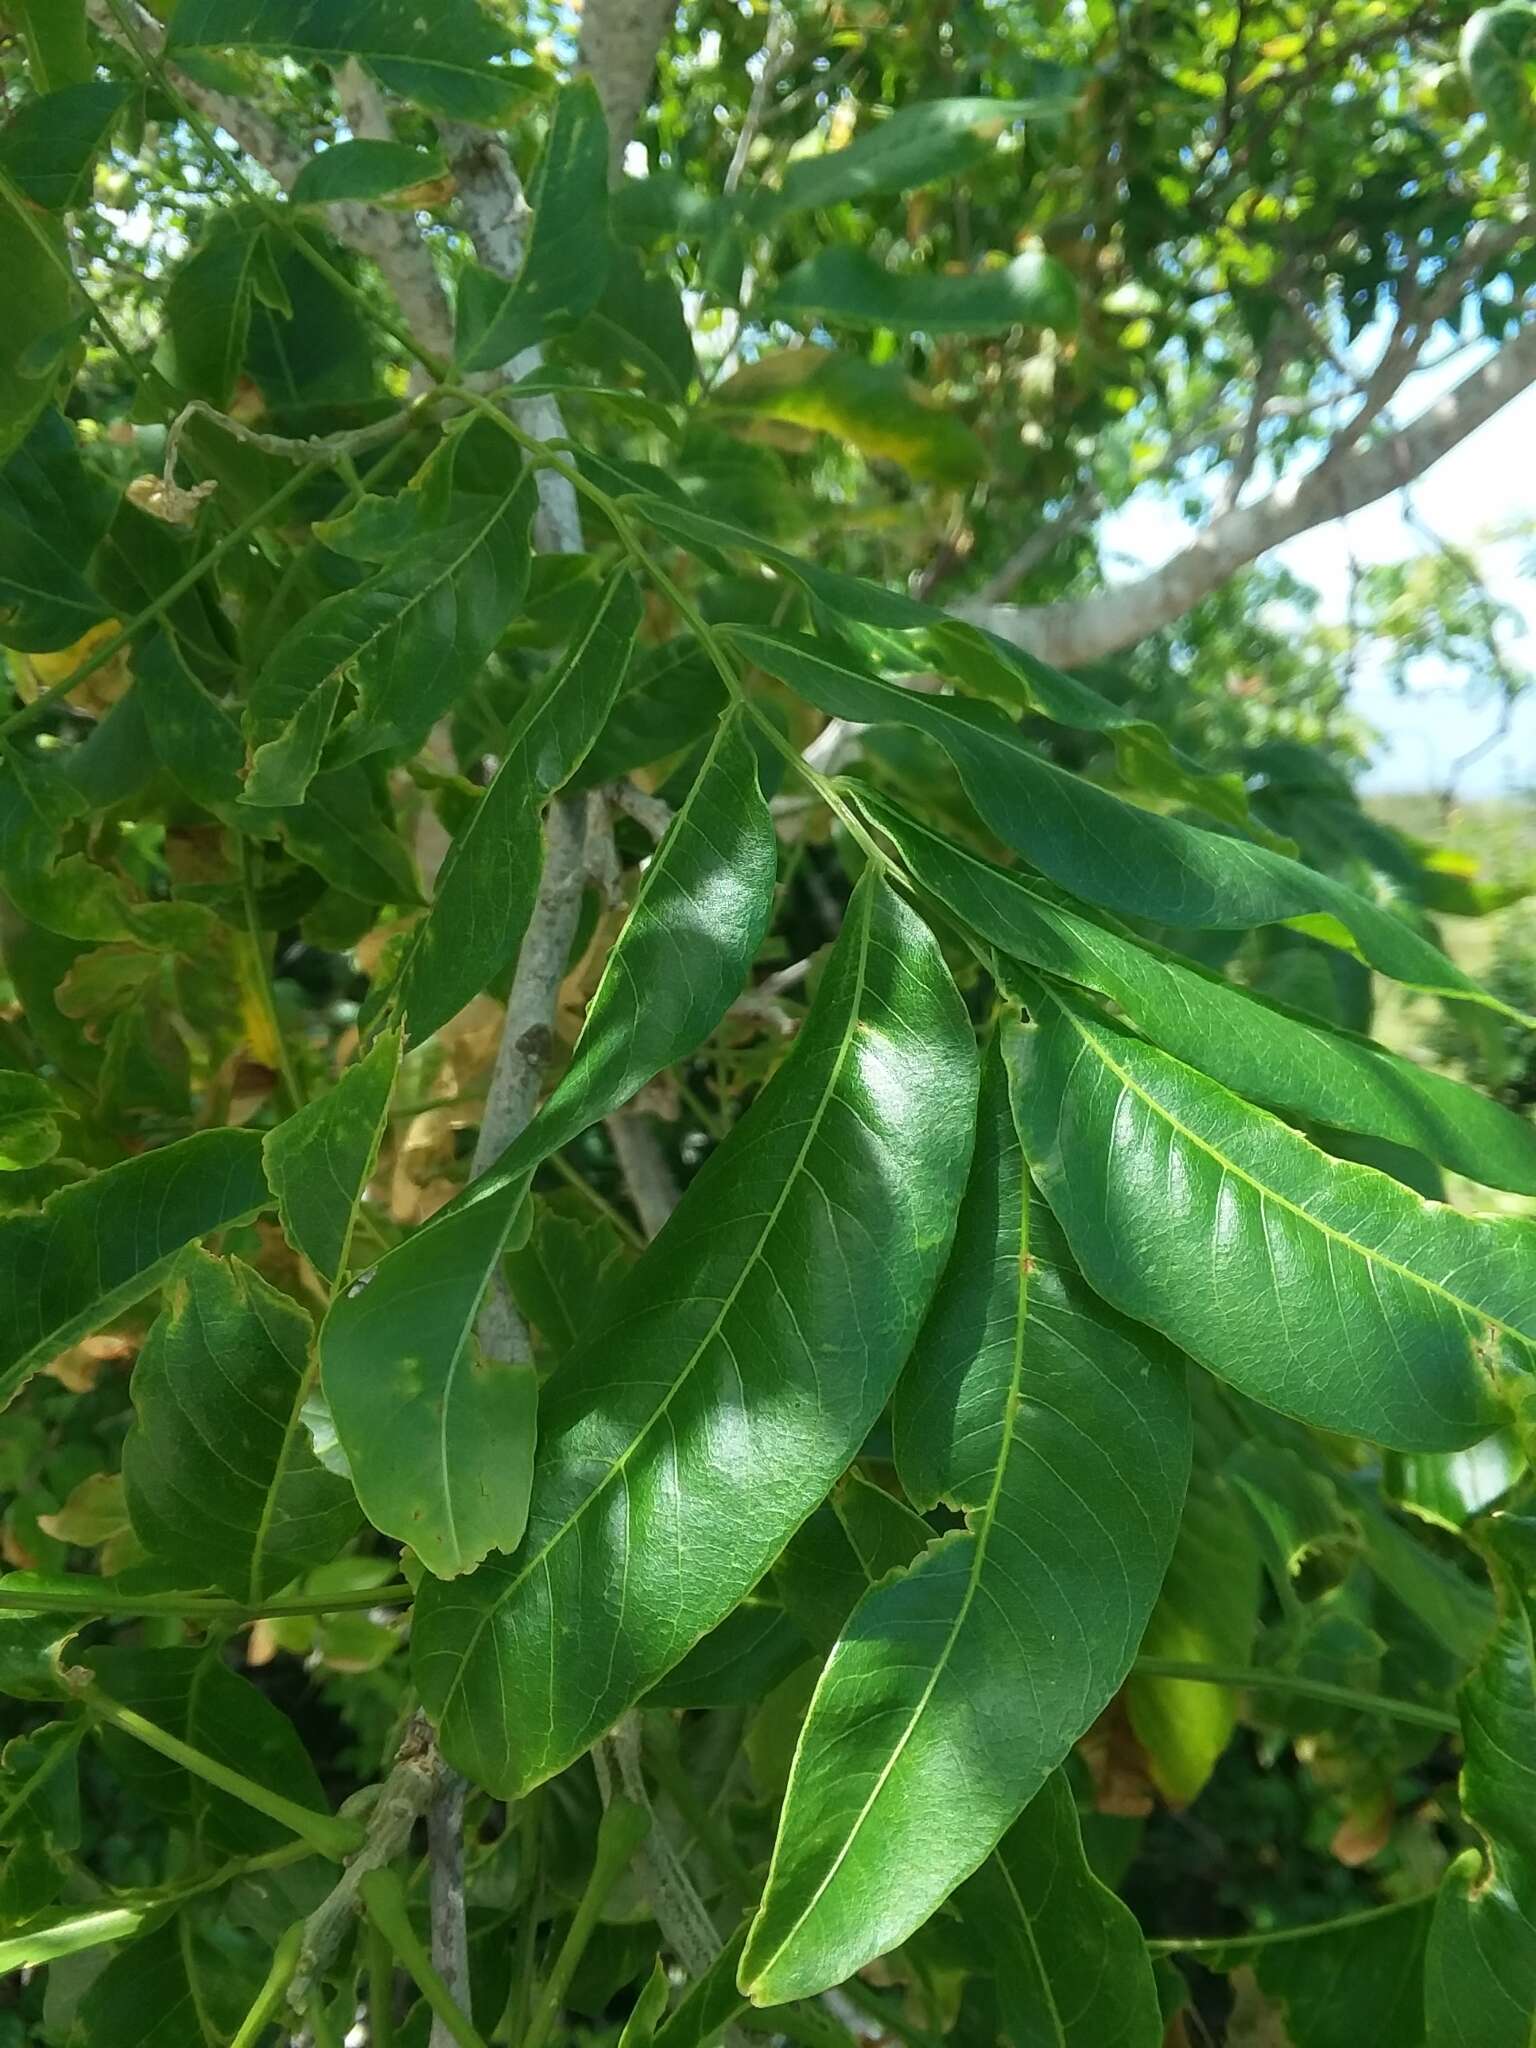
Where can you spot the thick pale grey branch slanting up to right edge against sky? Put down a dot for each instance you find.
(1349, 478)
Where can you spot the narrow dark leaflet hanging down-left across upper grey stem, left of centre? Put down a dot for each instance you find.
(490, 880)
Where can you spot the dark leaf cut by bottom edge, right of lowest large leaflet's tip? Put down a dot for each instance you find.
(1068, 1957)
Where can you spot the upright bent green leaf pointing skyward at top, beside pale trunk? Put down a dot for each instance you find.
(566, 265)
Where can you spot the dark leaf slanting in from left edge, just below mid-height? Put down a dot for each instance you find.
(105, 1242)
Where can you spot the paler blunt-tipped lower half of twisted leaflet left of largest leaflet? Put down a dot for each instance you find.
(437, 1437)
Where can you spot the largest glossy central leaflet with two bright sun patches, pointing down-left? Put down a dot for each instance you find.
(730, 1375)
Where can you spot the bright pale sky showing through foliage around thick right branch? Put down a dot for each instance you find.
(1484, 484)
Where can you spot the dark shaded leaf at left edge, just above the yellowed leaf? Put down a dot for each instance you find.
(50, 517)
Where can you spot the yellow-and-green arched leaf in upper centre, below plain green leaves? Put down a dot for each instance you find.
(871, 407)
